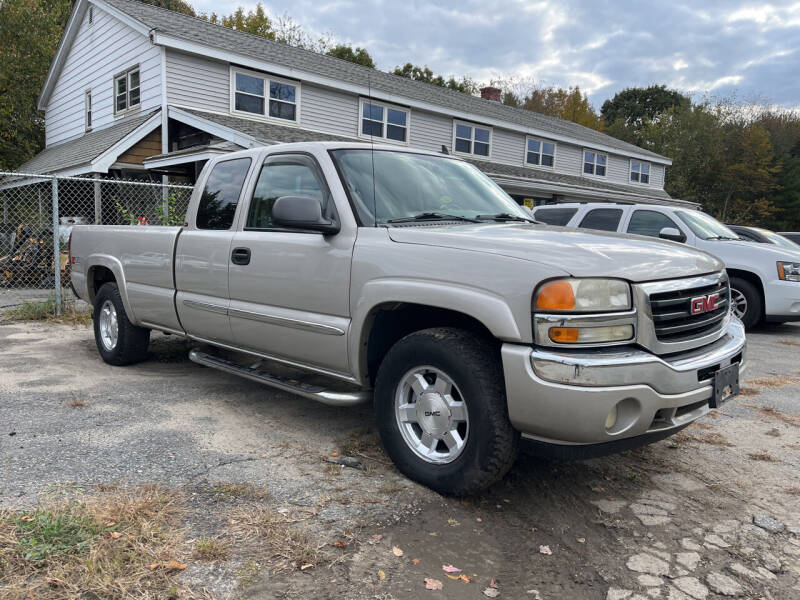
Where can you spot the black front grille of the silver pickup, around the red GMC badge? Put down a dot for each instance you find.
(672, 312)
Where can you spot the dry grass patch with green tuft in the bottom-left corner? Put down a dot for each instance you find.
(118, 544)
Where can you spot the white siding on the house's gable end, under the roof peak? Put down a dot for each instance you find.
(98, 52)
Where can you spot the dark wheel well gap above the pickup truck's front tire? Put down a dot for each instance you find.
(388, 323)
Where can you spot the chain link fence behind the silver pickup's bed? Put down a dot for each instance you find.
(38, 212)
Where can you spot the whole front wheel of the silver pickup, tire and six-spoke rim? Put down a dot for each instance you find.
(441, 410)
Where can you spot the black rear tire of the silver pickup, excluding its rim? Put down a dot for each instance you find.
(131, 343)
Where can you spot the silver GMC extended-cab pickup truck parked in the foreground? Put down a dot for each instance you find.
(411, 280)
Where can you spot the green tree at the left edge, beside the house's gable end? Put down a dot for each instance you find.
(29, 34)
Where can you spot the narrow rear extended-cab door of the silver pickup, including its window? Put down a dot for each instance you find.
(203, 254)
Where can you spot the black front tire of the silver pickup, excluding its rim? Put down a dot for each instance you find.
(473, 365)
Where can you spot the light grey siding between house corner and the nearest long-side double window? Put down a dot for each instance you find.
(197, 82)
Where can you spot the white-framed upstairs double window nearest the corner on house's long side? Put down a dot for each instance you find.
(265, 96)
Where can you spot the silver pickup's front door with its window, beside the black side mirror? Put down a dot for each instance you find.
(291, 299)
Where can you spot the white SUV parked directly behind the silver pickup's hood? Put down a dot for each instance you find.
(765, 279)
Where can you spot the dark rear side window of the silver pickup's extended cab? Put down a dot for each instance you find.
(221, 194)
